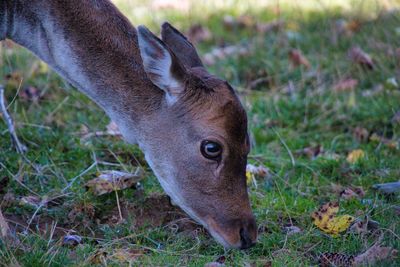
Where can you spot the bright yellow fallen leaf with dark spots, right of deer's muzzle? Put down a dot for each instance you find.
(326, 220)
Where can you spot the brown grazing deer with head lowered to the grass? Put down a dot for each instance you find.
(190, 124)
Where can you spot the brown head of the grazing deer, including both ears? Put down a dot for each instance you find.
(196, 142)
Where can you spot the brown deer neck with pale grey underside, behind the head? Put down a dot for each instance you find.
(90, 44)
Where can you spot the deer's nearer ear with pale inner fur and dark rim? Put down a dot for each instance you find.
(161, 65)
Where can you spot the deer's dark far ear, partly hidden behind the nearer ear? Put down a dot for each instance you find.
(180, 45)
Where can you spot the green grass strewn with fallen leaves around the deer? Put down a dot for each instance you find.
(283, 120)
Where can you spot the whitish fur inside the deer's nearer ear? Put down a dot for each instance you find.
(158, 68)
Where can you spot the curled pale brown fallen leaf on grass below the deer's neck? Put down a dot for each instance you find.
(109, 181)
